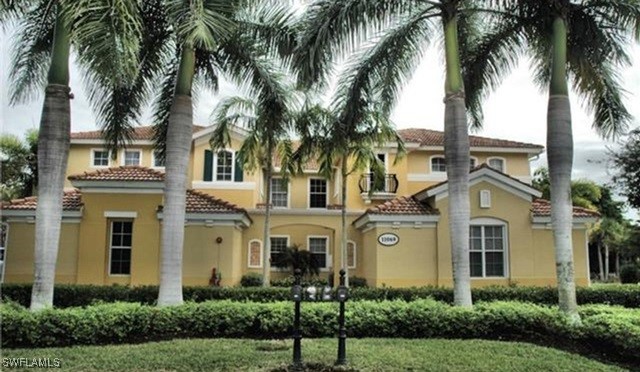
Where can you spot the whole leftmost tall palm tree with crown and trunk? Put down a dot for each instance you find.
(47, 30)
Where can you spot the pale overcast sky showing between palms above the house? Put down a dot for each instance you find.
(516, 111)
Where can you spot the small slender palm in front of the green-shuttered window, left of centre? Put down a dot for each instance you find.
(268, 118)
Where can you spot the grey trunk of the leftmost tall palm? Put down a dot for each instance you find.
(53, 152)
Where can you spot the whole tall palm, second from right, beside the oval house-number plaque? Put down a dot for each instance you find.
(397, 32)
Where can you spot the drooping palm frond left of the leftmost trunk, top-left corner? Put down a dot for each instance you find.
(32, 53)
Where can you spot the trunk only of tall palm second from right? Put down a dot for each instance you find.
(456, 145)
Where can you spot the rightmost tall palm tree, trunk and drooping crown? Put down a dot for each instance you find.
(577, 41)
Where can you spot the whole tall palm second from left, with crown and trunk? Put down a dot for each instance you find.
(190, 45)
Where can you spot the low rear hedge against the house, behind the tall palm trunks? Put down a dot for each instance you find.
(82, 295)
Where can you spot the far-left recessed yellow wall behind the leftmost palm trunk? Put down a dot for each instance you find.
(19, 255)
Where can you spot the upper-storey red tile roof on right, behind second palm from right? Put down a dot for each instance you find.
(427, 137)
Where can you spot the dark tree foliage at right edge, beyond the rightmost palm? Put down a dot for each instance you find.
(627, 162)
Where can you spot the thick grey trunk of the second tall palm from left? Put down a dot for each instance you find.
(178, 149)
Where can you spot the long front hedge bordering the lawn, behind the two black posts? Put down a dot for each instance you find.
(613, 332)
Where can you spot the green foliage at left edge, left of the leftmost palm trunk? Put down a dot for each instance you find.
(19, 165)
